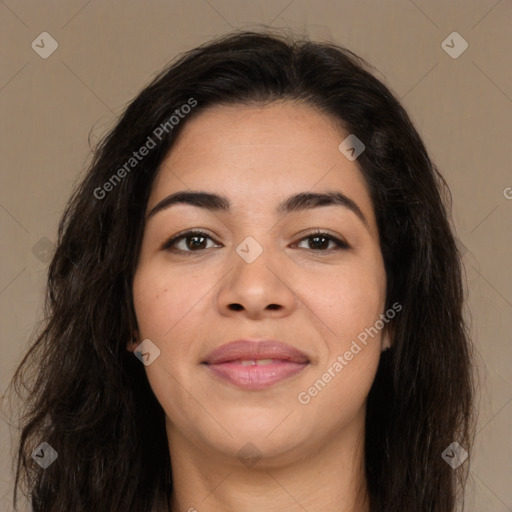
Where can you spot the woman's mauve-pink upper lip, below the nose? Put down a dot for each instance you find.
(255, 349)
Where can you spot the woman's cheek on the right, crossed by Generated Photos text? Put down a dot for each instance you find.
(349, 302)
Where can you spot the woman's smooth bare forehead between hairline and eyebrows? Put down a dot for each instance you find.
(256, 155)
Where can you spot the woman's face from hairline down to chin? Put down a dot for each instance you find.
(308, 274)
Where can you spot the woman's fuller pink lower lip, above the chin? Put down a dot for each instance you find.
(255, 377)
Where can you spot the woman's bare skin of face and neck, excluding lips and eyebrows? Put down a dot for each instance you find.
(317, 300)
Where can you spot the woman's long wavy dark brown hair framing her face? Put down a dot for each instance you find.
(84, 394)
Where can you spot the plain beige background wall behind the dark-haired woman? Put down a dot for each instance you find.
(108, 50)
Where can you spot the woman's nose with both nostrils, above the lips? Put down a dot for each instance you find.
(257, 289)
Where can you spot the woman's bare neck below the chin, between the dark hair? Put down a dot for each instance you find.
(329, 477)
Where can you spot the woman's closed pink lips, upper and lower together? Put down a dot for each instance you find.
(225, 363)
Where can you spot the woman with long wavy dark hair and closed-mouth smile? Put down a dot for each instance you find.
(255, 301)
